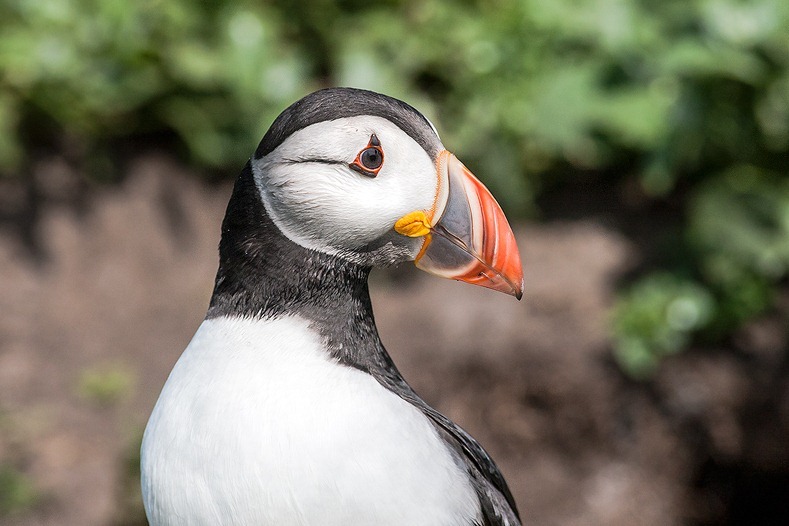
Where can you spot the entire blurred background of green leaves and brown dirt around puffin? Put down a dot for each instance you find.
(640, 147)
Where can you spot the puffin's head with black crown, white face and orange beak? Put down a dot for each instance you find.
(365, 177)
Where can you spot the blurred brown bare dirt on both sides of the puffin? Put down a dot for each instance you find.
(113, 280)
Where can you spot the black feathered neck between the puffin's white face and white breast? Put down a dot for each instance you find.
(263, 274)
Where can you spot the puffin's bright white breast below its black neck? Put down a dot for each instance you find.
(257, 425)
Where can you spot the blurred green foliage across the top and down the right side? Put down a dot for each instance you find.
(688, 100)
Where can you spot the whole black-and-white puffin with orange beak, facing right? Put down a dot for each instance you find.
(285, 408)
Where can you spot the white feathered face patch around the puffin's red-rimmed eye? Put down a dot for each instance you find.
(319, 202)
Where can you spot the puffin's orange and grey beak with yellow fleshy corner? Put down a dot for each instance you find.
(467, 237)
